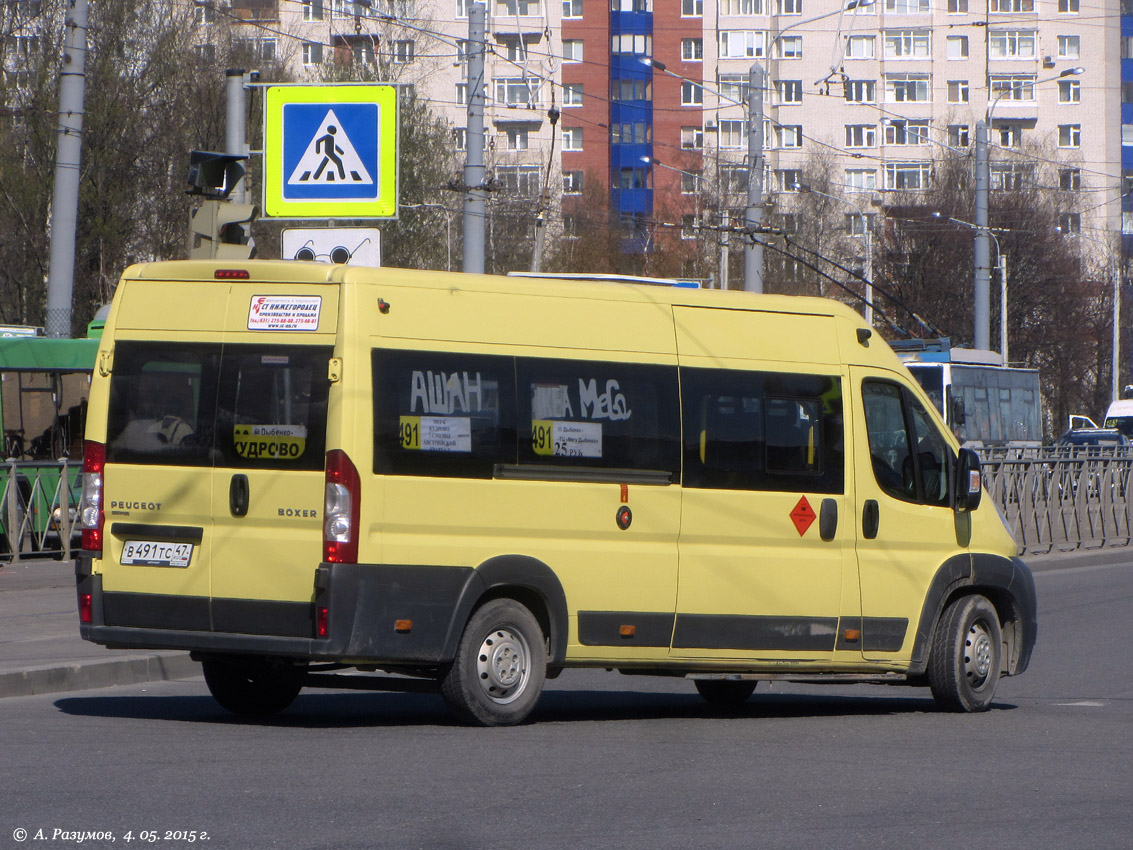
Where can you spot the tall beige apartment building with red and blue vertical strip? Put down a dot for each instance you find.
(649, 98)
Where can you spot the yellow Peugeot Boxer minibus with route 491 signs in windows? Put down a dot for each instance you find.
(463, 483)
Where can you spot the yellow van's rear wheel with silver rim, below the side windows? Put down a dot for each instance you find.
(498, 676)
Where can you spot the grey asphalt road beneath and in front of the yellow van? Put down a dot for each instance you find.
(609, 761)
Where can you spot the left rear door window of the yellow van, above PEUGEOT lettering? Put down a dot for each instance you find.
(163, 404)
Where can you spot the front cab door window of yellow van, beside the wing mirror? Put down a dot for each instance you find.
(896, 423)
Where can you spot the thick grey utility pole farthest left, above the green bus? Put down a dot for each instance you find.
(65, 193)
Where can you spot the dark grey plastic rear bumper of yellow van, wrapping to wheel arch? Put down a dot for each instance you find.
(365, 606)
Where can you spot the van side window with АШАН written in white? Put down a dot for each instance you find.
(440, 414)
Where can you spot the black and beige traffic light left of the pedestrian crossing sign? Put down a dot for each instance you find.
(219, 229)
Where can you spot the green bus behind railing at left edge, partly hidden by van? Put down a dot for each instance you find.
(45, 385)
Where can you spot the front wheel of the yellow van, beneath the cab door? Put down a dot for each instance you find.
(967, 656)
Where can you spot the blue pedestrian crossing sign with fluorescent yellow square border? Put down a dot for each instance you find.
(331, 151)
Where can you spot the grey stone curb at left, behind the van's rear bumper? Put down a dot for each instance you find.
(86, 676)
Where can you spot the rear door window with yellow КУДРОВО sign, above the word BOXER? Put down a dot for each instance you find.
(272, 407)
